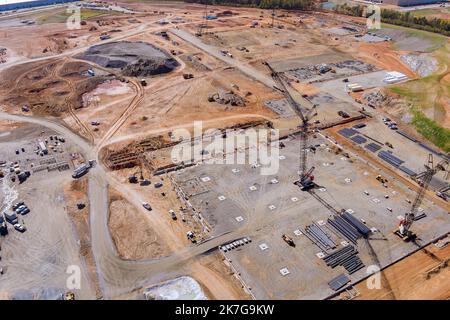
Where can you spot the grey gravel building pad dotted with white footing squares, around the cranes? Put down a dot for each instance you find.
(246, 210)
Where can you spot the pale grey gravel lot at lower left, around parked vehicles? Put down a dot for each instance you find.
(35, 262)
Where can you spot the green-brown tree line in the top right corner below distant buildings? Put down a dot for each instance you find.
(405, 19)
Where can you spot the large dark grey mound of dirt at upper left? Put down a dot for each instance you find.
(137, 59)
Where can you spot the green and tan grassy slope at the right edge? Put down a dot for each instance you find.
(429, 97)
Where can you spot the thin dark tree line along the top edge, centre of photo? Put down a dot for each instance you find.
(263, 4)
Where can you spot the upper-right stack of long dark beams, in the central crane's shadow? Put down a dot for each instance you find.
(350, 227)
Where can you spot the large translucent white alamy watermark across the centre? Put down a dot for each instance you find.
(257, 147)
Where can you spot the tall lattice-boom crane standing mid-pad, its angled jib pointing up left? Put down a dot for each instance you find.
(306, 179)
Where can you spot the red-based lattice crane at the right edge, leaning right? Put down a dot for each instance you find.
(424, 179)
